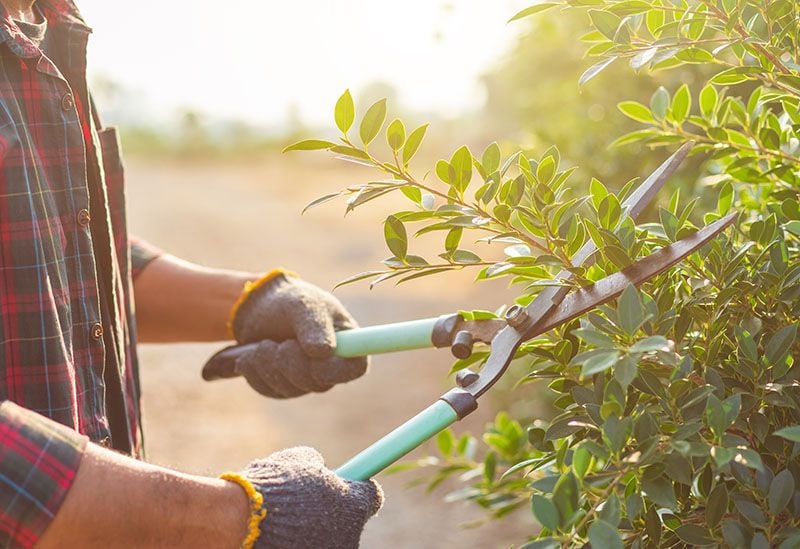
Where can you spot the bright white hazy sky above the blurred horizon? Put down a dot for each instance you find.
(254, 60)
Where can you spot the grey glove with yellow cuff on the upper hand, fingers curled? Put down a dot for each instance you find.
(295, 323)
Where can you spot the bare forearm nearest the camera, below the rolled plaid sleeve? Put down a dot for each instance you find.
(116, 501)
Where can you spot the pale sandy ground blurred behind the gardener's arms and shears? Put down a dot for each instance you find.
(247, 216)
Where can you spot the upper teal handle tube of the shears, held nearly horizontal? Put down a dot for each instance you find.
(386, 338)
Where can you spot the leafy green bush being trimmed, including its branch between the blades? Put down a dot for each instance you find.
(676, 411)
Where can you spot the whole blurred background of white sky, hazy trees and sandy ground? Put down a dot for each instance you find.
(207, 94)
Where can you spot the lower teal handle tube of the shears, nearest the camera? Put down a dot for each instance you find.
(399, 442)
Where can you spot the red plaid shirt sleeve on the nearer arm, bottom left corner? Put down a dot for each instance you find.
(39, 460)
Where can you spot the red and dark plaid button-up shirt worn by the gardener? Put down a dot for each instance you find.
(67, 336)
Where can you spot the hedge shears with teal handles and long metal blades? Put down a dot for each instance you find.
(552, 307)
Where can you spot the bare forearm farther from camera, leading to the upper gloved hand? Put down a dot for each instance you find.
(180, 301)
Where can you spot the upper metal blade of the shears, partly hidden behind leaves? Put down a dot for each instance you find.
(632, 206)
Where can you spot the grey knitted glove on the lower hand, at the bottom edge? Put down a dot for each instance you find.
(307, 504)
